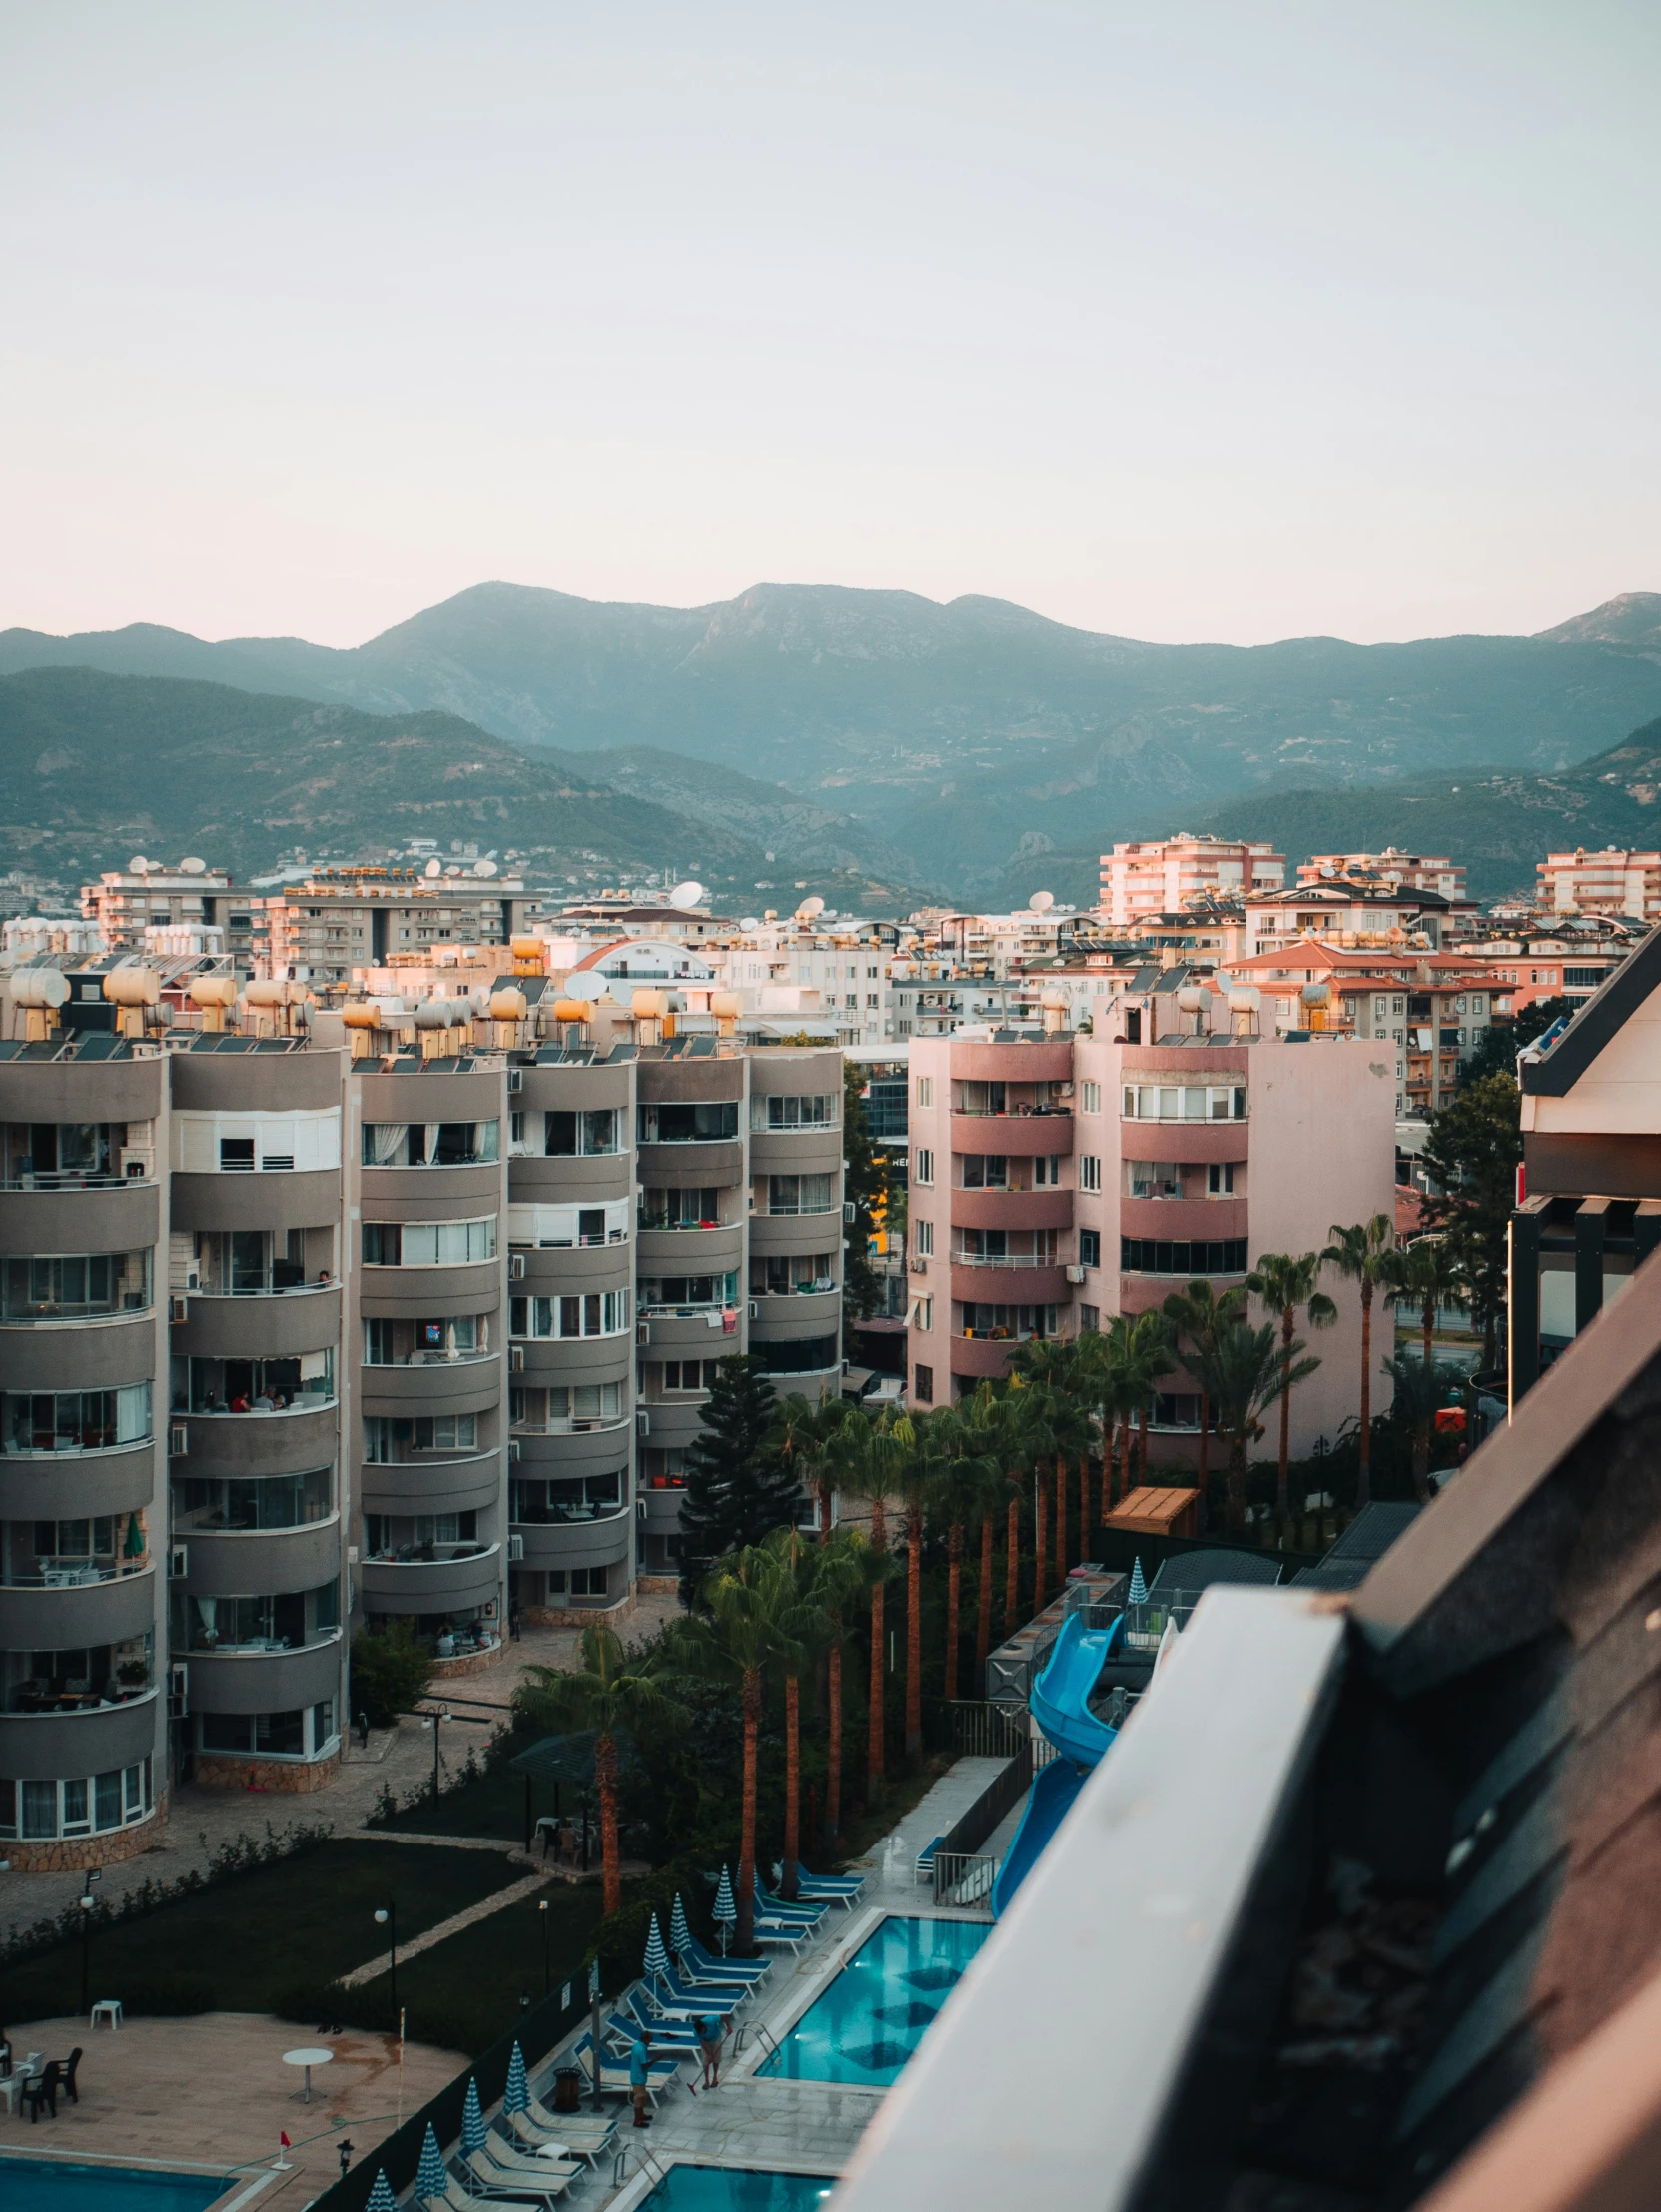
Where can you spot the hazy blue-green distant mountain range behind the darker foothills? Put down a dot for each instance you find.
(965, 747)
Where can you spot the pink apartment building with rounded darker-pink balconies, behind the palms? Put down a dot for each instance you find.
(1076, 1178)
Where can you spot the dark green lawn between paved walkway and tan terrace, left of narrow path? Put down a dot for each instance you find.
(247, 1941)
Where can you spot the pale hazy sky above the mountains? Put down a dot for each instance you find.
(1173, 320)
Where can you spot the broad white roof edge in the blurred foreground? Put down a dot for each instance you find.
(1058, 2056)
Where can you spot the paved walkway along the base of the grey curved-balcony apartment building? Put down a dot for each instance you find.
(399, 1760)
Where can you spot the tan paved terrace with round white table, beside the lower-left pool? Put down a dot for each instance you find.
(216, 2094)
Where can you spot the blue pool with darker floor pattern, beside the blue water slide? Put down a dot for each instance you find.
(881, 2005)
